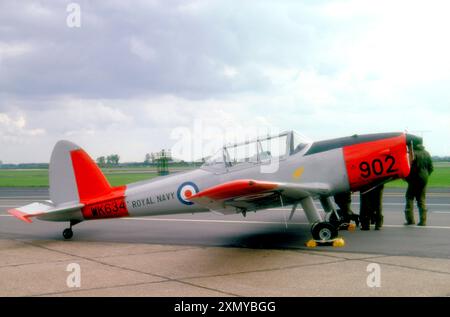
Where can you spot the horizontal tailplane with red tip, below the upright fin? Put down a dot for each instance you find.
(43, 210)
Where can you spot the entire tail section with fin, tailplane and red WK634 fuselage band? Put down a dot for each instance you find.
(76, 184)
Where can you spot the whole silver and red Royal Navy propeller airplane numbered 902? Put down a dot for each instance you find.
(271, 171)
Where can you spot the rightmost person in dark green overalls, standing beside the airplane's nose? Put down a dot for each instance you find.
(421, 169)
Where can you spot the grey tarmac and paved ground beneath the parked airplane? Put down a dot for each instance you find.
(212, 255)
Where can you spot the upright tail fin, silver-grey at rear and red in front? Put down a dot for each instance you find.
(74, 177)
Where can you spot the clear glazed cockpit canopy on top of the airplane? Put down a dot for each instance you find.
(262, 150)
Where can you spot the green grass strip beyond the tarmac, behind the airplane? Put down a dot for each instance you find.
(116, 177)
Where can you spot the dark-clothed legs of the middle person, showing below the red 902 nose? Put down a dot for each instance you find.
(371, 208)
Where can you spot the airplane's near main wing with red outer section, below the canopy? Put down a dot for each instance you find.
(242, 195)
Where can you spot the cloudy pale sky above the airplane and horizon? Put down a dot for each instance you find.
(139, 76)
